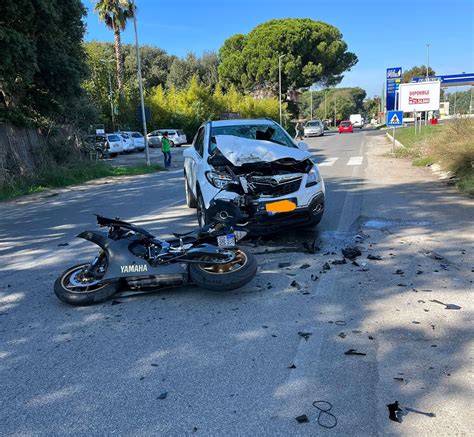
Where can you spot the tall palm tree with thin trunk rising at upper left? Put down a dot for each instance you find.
(115, 14)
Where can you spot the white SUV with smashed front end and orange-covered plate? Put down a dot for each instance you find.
(260, 169)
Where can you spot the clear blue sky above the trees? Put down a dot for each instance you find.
(381, 33)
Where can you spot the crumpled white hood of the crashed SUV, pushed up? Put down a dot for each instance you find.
(241, 151)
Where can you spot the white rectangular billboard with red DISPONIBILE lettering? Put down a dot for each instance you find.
(423, 96)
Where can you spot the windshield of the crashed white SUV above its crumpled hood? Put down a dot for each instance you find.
(273, 133)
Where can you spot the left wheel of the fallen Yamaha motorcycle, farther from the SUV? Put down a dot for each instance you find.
(75, 288)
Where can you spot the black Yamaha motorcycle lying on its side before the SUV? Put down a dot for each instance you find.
(131, 257)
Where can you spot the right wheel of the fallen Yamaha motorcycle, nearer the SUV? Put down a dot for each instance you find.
(224, 277)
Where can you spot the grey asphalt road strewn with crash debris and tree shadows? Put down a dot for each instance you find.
(234, 363)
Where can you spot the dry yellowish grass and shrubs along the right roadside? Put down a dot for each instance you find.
(450, 145)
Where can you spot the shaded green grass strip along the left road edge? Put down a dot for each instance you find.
(72, 175)
